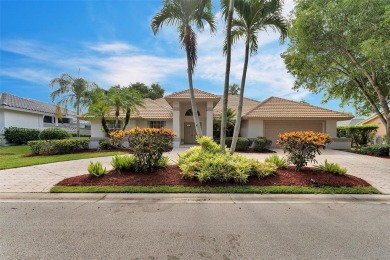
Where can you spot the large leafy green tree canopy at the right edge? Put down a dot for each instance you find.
(342, 48)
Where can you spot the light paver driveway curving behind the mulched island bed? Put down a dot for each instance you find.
(41, 178)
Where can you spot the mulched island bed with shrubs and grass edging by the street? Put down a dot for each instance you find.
(205, 169)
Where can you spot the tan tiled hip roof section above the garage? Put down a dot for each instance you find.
(275, 107)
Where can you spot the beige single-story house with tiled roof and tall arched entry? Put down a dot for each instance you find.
(260, 118)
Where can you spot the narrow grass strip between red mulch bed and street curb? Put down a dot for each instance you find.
(207, 189)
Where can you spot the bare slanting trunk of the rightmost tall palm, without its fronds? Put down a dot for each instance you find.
(241, 100)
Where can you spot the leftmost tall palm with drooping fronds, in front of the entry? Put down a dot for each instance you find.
(186, 14)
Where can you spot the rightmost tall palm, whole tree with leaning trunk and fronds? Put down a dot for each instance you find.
(254, 16)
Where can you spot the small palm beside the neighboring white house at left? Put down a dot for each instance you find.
(72, 91)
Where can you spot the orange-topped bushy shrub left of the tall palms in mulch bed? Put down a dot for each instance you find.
(148, 145)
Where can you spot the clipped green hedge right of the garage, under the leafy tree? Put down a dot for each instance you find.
(360, 134)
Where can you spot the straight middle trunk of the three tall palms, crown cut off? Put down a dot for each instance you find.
(227, 76)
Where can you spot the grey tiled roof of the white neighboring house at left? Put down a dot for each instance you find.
(18, 103)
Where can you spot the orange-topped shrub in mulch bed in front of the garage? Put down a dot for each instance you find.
(302, 146)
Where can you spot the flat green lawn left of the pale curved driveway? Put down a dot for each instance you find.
(13, 157)
